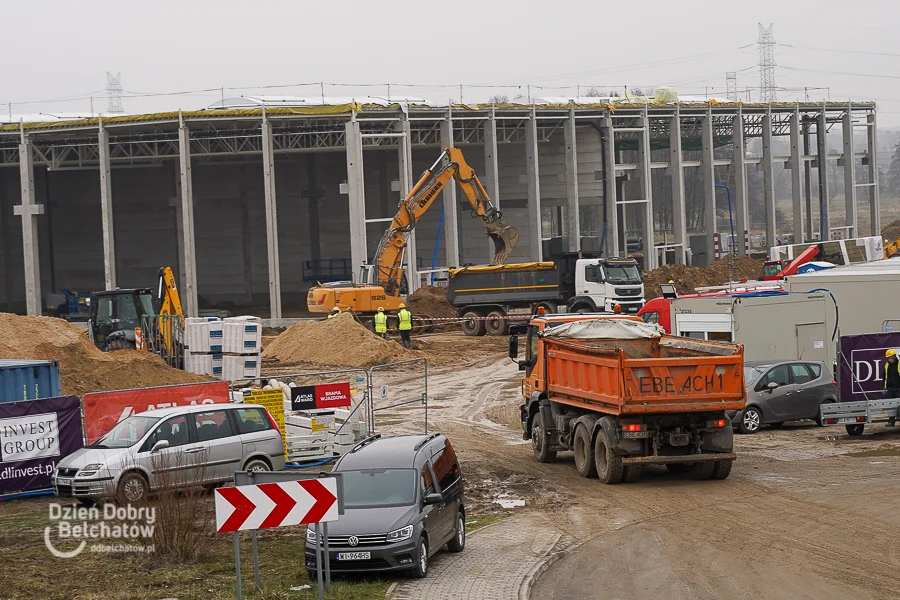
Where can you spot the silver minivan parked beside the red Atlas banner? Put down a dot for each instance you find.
(179, 447)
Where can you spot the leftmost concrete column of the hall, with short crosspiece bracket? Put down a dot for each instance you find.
(29, 211)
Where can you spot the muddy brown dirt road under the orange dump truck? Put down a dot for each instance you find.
(804, 515)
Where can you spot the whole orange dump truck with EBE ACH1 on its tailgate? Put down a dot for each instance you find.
(621, 394)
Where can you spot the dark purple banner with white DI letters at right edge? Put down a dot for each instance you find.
(861, 372)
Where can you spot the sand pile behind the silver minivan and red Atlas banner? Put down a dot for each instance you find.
(83, 367)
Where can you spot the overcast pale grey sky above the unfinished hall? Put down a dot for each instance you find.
(61, 49)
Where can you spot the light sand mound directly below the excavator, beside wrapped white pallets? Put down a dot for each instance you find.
(341, 342)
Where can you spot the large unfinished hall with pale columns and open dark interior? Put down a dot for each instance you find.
(105, 202)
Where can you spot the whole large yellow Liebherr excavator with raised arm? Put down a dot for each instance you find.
(382, 282)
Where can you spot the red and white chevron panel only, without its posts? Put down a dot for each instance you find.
(276, 504)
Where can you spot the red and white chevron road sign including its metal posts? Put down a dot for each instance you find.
(267, 499)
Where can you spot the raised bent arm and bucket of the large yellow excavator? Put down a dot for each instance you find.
(450, 165)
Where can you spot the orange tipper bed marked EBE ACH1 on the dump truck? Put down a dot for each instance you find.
(661, 375)
